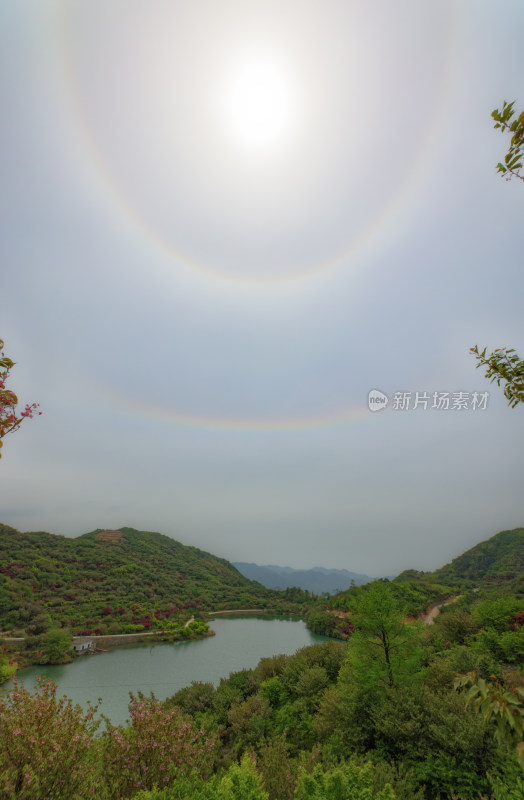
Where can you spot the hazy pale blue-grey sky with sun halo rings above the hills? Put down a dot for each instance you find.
(223, 224)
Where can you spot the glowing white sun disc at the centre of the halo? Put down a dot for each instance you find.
(259, 103)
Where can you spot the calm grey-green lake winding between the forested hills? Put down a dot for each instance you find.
(240, 642)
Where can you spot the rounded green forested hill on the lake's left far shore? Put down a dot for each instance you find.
(114, 581)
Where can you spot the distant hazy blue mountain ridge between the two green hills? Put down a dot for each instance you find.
(317, 580)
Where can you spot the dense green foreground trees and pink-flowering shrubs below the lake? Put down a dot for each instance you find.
(372, 718)
